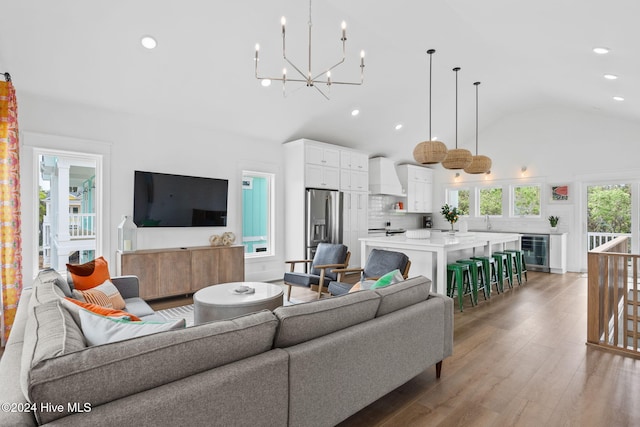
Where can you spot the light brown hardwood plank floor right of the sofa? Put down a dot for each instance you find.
(519, 359)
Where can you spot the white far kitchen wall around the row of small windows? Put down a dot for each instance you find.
(557, 145)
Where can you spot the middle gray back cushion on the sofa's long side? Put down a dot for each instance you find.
(303, 322)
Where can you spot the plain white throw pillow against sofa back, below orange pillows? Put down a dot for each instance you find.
(103, 330)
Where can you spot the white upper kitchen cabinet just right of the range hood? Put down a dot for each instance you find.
(417, 182)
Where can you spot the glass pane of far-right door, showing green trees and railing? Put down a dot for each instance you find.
(608, 213)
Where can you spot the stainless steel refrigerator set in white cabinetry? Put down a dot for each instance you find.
(323, 219)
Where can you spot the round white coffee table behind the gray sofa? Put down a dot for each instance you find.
(218, 302)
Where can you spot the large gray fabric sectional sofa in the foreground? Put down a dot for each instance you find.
(311, 364)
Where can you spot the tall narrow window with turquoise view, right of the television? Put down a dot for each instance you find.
(257, 213)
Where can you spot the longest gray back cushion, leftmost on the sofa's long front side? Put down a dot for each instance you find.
(128, 367)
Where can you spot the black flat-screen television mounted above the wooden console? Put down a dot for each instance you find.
(164, 200)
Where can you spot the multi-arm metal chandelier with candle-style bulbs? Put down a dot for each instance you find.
(308, 77)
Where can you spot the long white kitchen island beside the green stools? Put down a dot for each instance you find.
(429, 257)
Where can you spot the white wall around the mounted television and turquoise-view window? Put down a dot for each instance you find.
(143, 143)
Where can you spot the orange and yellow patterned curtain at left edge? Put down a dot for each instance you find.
(10, 243)
